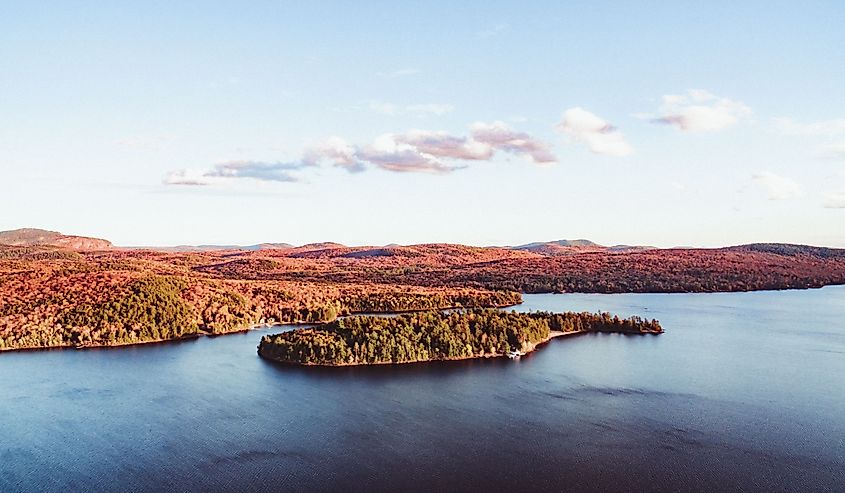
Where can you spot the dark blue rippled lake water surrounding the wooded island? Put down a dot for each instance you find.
(744, 391)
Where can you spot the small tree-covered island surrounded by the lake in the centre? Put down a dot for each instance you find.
(437, 336)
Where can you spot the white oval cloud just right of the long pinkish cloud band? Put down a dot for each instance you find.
(599, 135)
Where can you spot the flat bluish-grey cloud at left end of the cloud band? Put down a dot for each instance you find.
(263, 171)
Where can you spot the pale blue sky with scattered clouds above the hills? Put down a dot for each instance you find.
(368, 123)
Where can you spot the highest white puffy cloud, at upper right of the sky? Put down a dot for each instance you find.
(700, 111)
